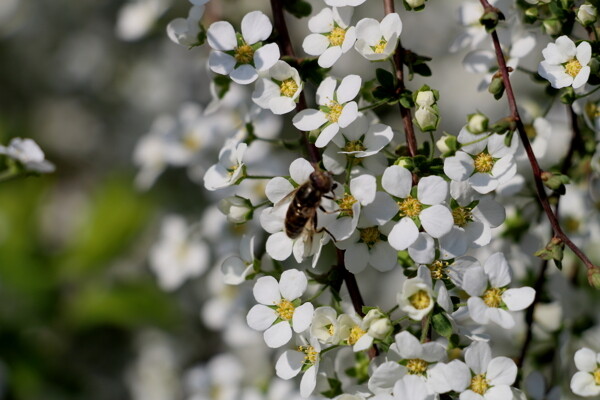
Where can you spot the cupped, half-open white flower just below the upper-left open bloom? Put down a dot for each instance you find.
(280, 91)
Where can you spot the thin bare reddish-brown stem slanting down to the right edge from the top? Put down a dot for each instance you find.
(537, 171)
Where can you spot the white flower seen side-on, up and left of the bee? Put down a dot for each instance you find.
(229, 169)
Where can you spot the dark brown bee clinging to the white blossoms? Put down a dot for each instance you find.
(307, 198)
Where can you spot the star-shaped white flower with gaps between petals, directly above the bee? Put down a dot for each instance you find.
(337, 110)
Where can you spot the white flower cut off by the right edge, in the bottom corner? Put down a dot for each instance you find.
(586, 381)
